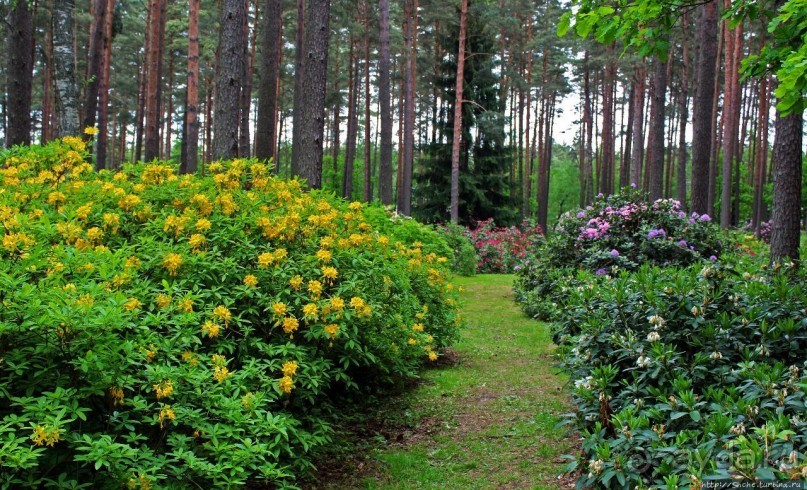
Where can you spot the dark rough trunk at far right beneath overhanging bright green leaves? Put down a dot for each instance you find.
(787, 162)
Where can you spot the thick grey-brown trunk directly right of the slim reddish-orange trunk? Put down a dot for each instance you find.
(229, 79)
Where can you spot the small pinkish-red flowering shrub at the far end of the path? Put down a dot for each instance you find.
(500, 250)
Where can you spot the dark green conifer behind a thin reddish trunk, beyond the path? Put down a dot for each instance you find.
(485, 159)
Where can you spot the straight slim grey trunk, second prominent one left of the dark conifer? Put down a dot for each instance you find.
(385, 169)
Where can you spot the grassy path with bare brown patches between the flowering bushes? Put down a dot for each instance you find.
(486, 416)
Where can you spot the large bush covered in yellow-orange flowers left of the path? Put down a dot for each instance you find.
(160, 330)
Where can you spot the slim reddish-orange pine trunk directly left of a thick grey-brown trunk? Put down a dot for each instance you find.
(190, 142)
